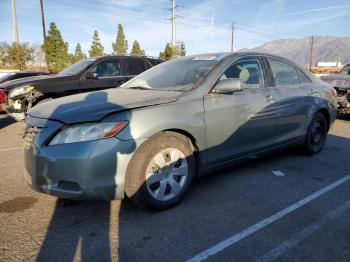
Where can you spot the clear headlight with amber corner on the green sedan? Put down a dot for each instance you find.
(87, 132)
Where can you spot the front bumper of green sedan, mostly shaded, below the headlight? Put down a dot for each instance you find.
(93, 170)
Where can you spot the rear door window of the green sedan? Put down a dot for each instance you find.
(283, 73)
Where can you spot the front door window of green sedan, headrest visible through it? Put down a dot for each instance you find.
(248, 71)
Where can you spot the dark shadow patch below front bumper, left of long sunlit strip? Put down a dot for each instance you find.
(77, 229)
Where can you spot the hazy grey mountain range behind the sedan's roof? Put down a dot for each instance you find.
(325, 49)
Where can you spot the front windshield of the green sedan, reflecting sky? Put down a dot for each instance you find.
(180, 74)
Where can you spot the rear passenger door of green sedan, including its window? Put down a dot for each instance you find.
(292, 88)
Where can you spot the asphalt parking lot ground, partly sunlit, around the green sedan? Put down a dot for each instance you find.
(243, 213)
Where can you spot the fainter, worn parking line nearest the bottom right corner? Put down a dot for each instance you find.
(290, 243)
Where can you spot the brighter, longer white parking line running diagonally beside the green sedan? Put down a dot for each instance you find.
(263, 223)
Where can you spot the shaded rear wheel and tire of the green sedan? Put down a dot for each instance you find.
(316, 135)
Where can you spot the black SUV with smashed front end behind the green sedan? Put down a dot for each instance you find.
(88, 74)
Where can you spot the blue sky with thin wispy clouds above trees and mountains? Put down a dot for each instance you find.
(204, 26)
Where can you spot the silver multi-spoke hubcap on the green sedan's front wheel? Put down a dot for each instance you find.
(166, 174)
